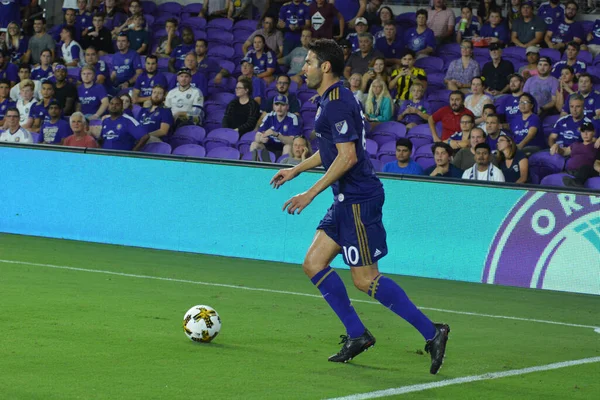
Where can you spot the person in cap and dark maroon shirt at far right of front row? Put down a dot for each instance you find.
(584, 157)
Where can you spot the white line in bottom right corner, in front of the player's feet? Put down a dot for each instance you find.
(466, 379)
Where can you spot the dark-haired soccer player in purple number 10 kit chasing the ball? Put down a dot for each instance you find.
(352, 225)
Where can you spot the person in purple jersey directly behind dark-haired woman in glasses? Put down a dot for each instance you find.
(527, 126)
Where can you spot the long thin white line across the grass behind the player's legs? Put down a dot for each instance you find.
(158, 278)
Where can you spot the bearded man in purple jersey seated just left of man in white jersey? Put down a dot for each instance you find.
(156, 120)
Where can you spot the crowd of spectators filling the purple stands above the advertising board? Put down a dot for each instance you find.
(487, 90)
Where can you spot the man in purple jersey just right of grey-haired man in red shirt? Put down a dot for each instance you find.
(119, 131)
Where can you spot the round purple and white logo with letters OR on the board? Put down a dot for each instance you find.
(548, 241)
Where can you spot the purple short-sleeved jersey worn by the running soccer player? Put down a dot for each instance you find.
(339, 119)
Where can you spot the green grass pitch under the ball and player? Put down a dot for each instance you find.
(73, 334)
